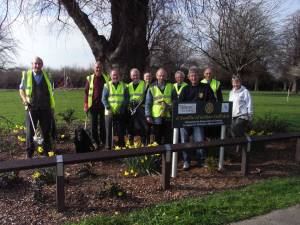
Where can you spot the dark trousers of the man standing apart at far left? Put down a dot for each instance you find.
(44, 117)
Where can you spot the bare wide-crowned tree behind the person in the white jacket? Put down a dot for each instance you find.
(234, 34)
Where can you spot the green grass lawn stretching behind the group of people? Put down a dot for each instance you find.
(264, 102)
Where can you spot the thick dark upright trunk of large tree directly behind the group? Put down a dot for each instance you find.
(128, 45)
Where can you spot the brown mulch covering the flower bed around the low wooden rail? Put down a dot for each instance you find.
(84, 199)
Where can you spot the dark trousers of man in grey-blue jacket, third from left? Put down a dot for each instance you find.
(117, 122)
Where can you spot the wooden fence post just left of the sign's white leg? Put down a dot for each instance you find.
(166, 168)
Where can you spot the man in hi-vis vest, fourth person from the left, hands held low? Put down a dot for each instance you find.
(138, 124)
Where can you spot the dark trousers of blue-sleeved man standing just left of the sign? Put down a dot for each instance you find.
(163, 132)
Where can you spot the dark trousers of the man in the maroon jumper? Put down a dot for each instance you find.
(97, 125)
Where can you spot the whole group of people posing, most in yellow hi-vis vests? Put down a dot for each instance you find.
(140, 108)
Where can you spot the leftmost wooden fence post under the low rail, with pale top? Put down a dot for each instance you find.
(60, 190)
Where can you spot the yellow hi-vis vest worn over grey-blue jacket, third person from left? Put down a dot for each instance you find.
(116, 96)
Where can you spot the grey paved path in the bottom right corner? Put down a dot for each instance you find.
(289, 216)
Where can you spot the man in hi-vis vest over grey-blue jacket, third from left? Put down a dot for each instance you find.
(115, 101)
